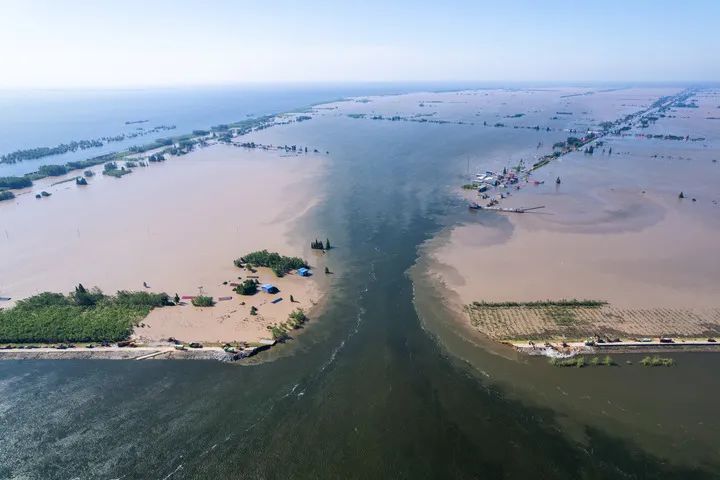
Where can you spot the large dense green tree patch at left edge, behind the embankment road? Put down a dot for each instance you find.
(81, 316)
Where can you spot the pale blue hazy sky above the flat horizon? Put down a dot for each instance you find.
(104, 43)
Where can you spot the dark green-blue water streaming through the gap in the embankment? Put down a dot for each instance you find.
(366, 392)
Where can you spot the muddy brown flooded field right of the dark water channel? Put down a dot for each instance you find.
(614, 225)
